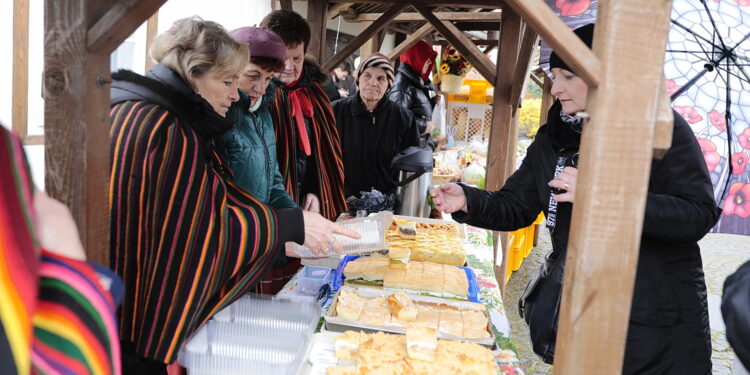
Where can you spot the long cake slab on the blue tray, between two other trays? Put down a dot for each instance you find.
(426, 278)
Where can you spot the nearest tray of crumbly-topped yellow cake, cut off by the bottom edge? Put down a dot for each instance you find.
(418, 352)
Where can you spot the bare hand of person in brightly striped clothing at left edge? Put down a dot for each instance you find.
(56, 229)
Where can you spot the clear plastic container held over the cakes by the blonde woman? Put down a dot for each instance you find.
(371, 229)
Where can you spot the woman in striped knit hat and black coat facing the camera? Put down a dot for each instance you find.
(373, 129)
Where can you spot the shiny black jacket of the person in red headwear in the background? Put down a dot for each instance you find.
(411, 92)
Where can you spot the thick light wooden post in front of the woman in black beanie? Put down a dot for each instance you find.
(608, 213)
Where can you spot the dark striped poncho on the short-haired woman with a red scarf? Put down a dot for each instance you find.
(325, 145)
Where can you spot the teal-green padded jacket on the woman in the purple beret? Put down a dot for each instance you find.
(250, 149)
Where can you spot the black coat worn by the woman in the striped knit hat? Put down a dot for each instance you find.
(370, 140)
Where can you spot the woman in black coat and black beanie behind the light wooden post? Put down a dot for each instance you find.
(668, 331)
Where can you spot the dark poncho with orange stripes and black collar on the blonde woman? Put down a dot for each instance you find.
(185, 239)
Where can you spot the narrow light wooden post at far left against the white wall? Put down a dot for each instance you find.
(20, 90)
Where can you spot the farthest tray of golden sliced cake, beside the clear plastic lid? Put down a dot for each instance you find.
(428, 240)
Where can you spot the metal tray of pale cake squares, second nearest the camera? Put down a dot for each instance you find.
(372, 310)
